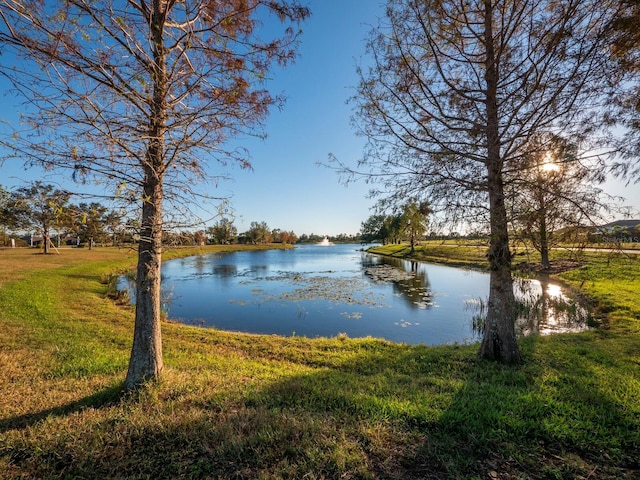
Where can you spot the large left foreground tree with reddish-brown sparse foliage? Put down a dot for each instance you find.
(144, 94)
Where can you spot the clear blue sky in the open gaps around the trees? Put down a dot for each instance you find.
(287, 189)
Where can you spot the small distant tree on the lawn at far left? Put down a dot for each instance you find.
(39, 206)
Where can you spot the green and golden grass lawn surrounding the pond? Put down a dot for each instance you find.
(238, 406)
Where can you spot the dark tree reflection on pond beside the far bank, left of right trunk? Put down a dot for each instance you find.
(409, 281)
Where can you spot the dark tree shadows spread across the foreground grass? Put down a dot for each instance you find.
(389, 412)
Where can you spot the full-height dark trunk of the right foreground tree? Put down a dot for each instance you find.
(499, 341)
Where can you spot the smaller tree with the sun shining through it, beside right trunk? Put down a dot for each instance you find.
(552, 193)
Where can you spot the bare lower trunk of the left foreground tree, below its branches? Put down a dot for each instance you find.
(145, 362)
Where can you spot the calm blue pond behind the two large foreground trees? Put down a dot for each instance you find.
(324, 291)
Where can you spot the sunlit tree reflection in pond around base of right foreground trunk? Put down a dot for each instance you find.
(542, 307)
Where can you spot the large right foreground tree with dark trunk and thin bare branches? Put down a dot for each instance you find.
(454, 94)
